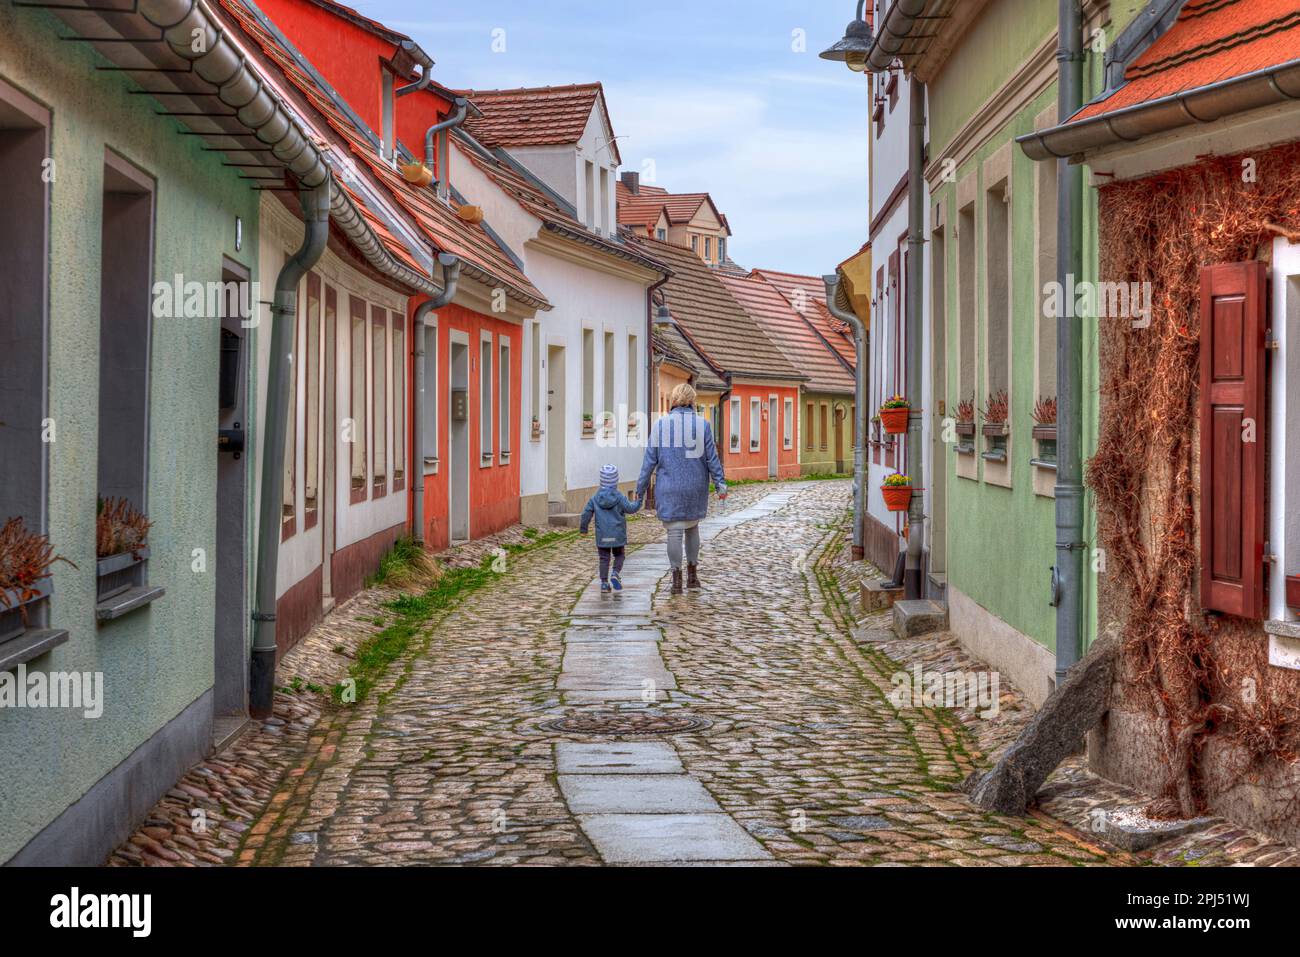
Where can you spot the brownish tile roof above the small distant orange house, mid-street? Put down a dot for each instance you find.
(712, 319)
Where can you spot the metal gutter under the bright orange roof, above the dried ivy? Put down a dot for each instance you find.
(1203, 105)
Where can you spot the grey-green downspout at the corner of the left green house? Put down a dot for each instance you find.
(284, 315)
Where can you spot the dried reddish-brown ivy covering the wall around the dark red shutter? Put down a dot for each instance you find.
(1163, 231)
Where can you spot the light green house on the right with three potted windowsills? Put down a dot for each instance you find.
(990, 75)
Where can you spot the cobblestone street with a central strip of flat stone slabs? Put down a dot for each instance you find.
(803, 760)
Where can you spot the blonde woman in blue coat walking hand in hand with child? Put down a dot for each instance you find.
(682, 456)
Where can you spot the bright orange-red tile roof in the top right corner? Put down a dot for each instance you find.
(1212, 41)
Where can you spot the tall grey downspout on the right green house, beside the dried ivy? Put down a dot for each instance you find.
(1068, 591)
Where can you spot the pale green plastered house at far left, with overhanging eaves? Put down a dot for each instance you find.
(131, 308)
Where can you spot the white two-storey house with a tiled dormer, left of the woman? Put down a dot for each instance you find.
(586, 379)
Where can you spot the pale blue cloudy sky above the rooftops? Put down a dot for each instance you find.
(716, 94)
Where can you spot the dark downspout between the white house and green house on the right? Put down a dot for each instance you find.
(915, 586)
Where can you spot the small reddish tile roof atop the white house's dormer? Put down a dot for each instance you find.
(536, 116)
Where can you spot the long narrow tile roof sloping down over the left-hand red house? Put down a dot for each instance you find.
(480, 254)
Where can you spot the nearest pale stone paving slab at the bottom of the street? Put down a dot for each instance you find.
(645, 838)
